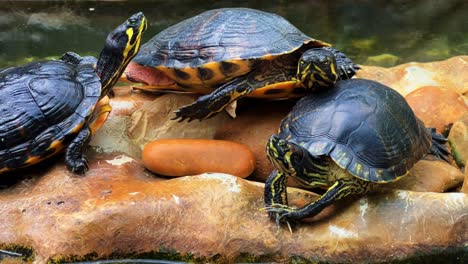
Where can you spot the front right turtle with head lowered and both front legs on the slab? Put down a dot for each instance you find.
(347, 139)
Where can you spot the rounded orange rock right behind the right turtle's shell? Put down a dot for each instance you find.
(437, 107)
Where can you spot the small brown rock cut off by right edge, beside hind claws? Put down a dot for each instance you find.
(458, 139)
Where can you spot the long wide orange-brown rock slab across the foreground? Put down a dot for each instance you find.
(117, 210)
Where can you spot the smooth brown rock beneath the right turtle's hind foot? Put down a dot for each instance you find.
(429, 176)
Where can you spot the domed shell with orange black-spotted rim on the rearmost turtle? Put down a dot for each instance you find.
(220, 44)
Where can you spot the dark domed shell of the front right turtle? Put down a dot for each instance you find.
(365, 127)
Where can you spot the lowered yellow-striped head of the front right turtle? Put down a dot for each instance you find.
(283, 154)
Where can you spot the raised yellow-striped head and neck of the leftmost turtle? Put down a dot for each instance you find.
(122, 44)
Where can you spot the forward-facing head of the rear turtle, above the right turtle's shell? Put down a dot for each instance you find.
(317, 69)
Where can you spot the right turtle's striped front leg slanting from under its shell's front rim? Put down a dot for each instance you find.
(340, 189)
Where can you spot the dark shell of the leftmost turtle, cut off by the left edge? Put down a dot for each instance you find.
(43, 105)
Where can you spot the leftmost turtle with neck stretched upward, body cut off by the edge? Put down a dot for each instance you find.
(54, 105)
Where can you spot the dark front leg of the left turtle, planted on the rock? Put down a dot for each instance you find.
(74, 158)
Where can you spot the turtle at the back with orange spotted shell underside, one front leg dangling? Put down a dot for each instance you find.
(230, 53)
